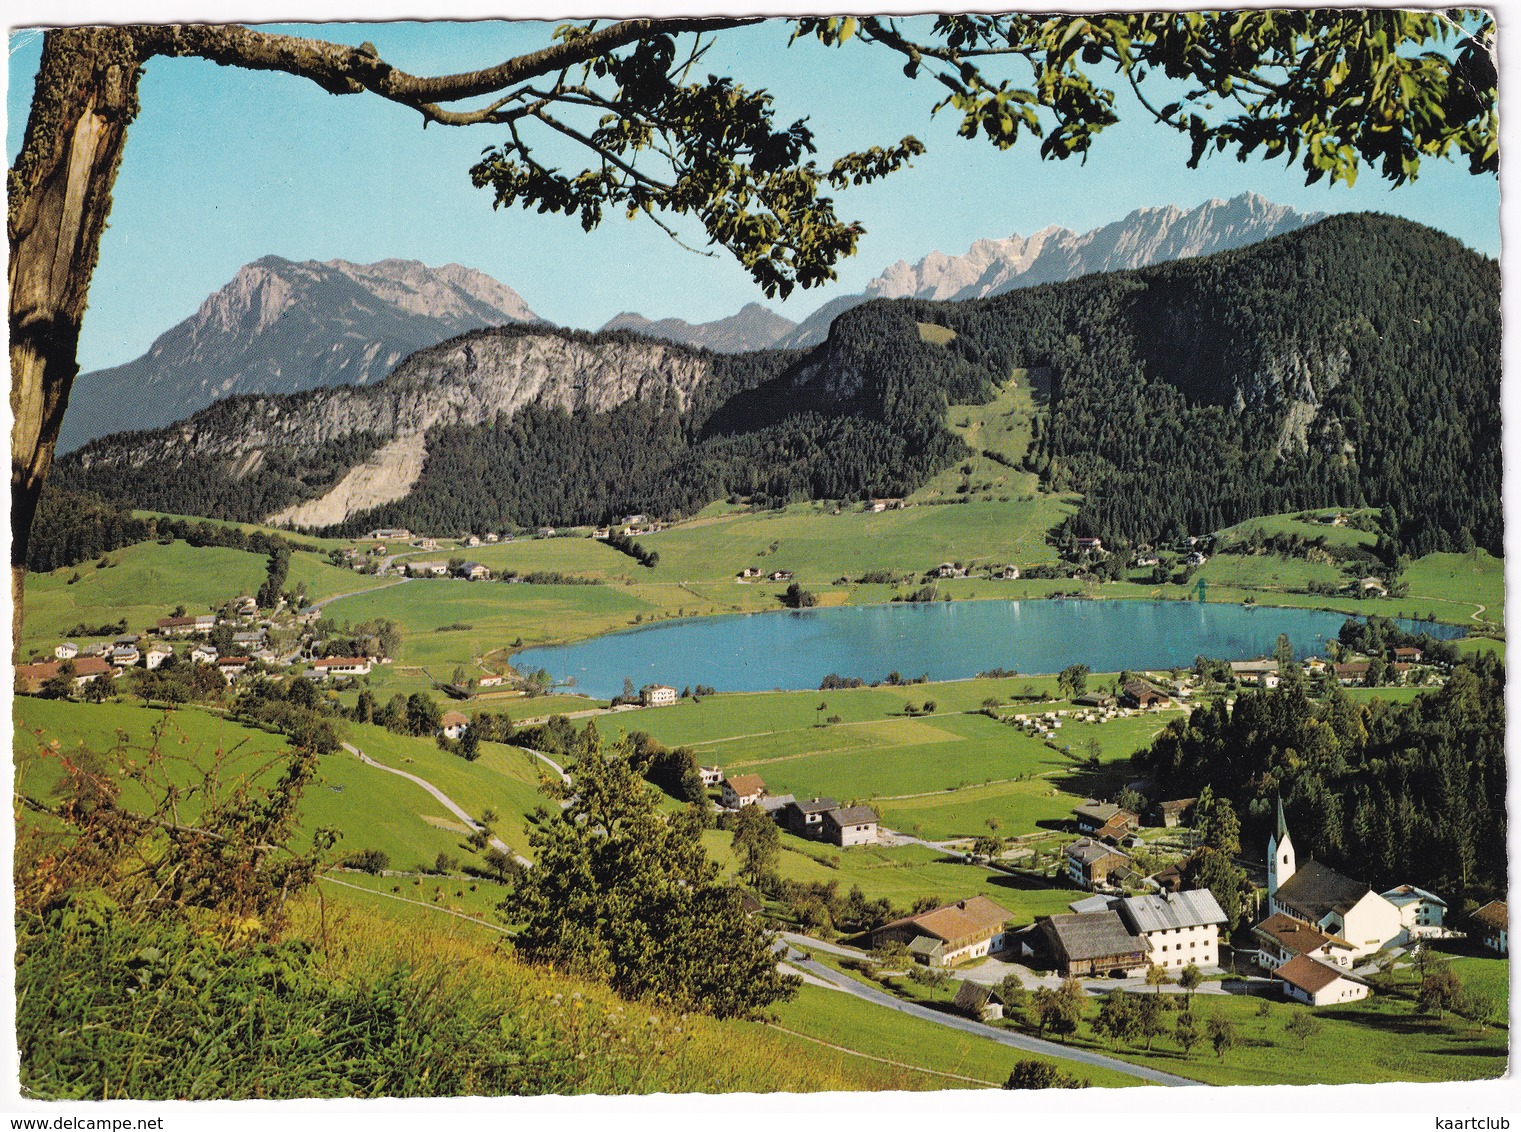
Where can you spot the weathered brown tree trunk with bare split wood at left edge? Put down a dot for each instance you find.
(60, 197)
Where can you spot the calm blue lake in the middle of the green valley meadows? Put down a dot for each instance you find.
(947, 641)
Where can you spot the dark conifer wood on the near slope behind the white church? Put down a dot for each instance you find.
(1394, 793)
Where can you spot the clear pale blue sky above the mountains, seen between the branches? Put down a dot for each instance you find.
(224, 167)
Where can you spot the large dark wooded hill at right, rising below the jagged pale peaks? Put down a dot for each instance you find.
(1353, 363)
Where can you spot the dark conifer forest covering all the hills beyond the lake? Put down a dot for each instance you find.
(1354, 363)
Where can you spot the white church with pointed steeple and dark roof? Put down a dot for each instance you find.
(1323, 897)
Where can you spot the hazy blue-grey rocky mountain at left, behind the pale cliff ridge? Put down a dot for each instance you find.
(281, 326)
